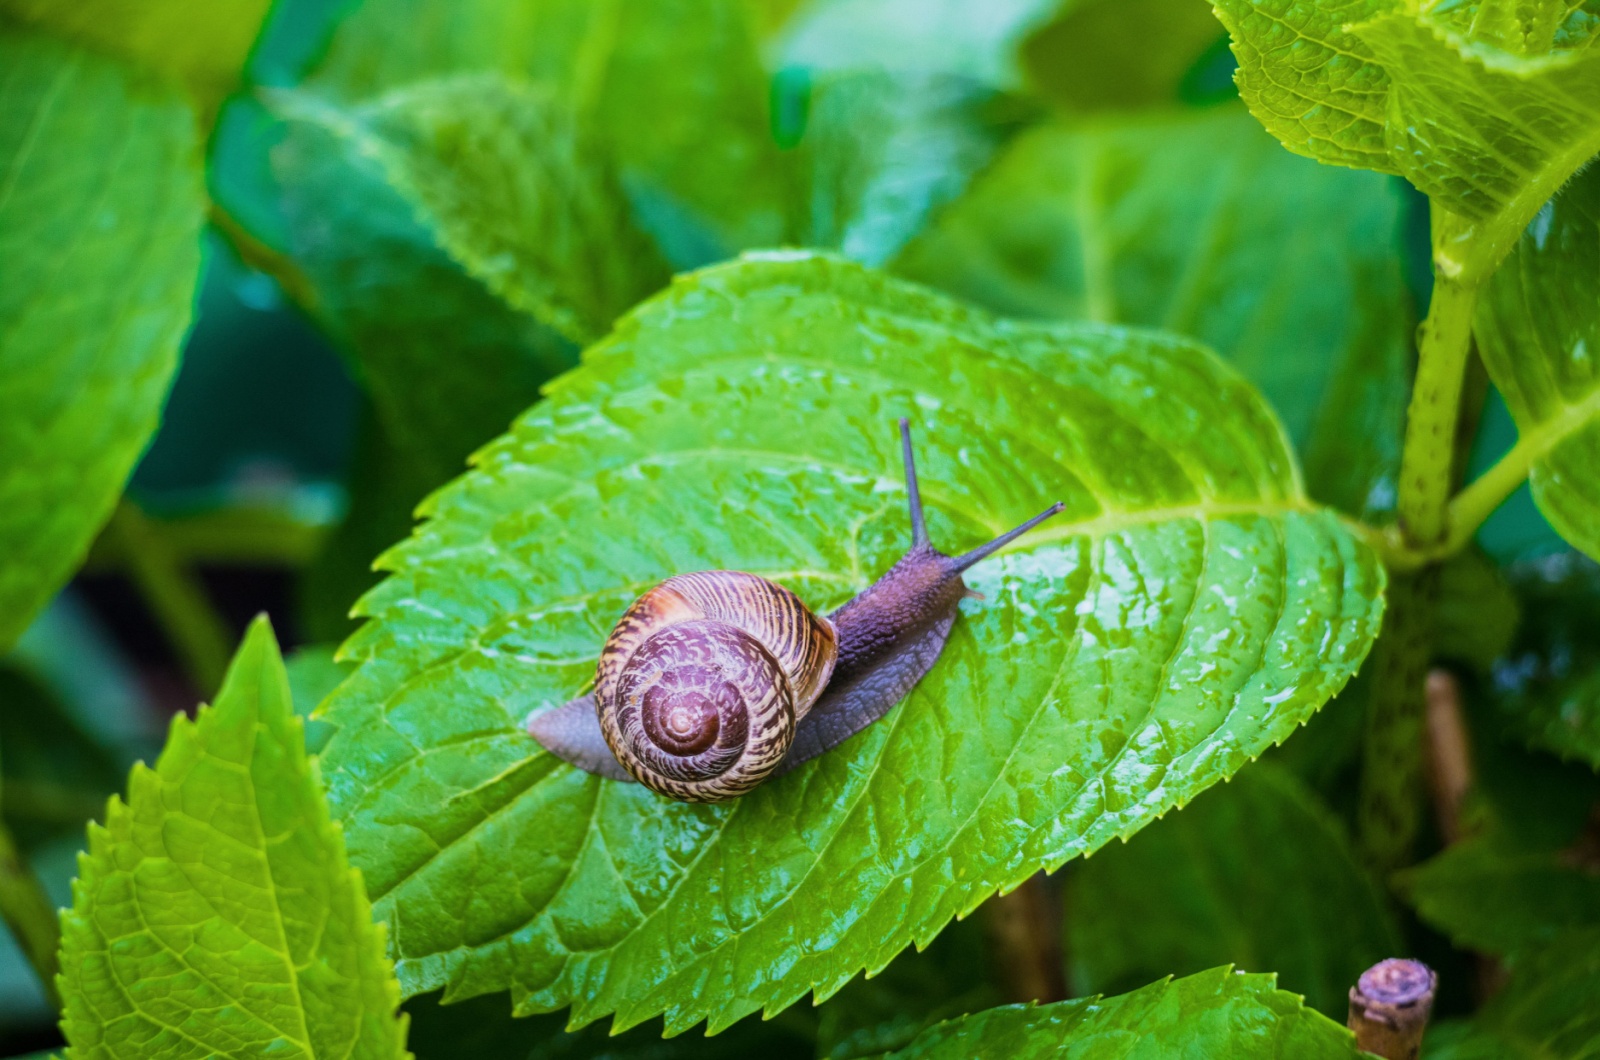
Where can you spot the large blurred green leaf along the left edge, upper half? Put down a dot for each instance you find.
(100, 235)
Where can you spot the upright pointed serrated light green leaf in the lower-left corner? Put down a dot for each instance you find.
(215, 912)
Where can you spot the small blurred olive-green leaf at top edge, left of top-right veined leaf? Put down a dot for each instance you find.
(1119, 55)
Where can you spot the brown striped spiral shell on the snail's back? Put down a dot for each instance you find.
(703, 683)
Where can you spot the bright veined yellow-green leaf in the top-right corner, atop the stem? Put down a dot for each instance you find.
(1484, 121)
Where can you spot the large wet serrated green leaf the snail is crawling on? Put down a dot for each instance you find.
(1188, 611)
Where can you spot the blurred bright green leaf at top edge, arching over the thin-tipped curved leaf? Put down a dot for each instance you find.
(674, 89)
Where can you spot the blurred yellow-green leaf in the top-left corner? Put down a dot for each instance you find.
(202, 44)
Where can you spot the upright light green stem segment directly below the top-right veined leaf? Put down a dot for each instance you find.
(1430, 457)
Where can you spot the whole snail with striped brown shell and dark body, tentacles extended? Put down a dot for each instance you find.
(714, 681)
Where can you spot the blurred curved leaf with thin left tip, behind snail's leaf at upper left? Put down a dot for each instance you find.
(513, 191)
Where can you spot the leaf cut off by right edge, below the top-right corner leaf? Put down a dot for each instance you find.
(1538, 331)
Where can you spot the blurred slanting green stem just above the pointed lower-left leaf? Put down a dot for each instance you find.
(175, 596)
